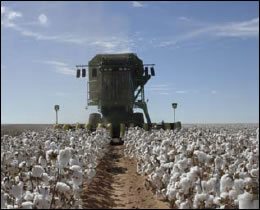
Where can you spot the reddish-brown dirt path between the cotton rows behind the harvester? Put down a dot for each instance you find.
(117, 185)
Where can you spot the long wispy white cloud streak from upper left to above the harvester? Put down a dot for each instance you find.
(110, 44)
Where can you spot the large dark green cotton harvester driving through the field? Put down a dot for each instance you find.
(116, 86)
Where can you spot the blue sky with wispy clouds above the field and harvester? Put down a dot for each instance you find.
(206, 56)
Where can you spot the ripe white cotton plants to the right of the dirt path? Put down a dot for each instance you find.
(210, 167)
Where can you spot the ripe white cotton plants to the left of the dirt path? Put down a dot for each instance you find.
(46, 169)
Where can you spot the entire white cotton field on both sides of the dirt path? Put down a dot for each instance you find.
(195, 167)
